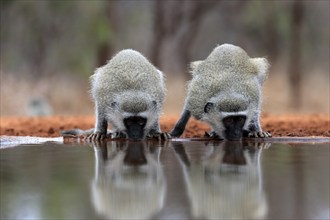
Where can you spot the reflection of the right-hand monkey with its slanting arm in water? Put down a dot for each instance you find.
(225, 182)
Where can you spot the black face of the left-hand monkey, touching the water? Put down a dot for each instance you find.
(135, 127)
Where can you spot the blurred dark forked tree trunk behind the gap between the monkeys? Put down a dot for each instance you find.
(177, 21)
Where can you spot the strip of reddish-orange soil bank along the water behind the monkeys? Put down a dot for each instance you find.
(278, 125)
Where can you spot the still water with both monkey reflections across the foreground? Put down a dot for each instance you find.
(171, 180)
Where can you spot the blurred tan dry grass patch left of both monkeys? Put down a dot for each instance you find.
(66, 95)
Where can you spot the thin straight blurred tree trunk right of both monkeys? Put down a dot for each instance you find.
(295, 68)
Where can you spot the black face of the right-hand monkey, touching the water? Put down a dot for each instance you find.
(234, 127)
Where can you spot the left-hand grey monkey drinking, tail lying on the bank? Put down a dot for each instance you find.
(128, 92)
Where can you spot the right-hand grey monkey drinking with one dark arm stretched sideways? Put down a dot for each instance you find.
(225, 92)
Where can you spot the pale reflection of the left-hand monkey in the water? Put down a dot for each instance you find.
(129, 181)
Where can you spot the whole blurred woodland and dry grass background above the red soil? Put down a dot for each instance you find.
(50, 48)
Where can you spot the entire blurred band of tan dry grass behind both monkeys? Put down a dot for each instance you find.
(68, 95)
